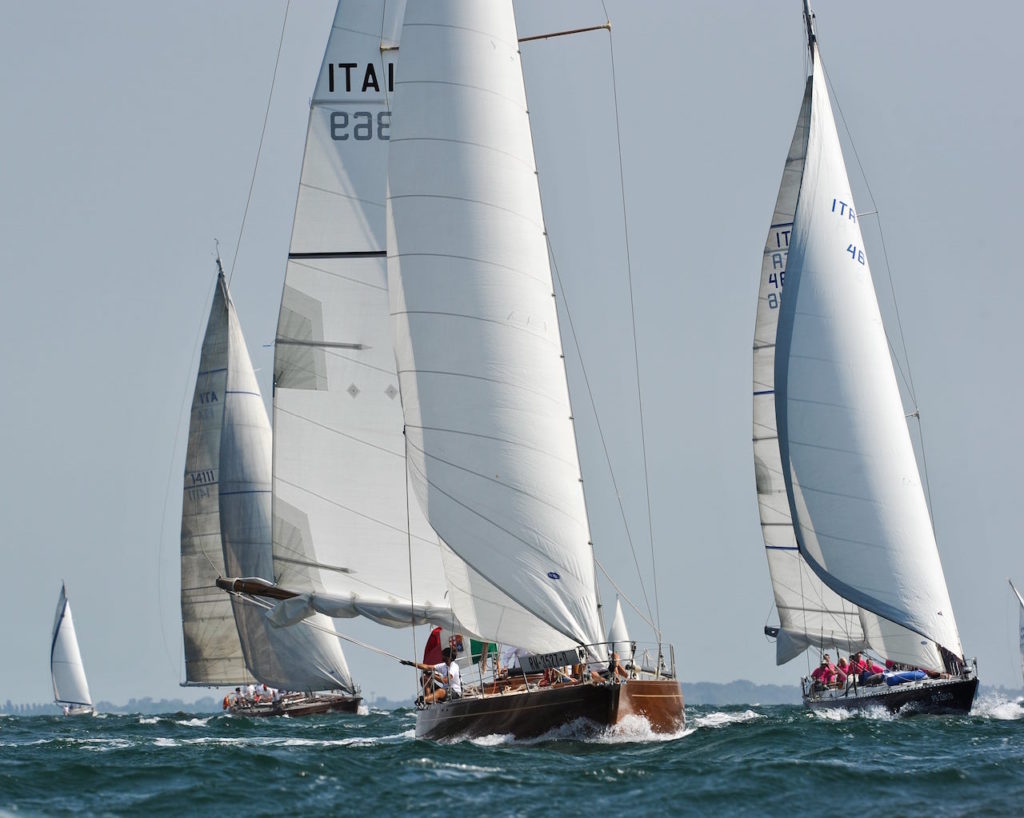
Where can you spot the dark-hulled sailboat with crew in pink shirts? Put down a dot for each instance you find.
(848, 536)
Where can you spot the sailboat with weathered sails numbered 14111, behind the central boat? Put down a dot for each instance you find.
(226, 528)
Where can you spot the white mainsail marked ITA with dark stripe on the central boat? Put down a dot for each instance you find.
(350, 534)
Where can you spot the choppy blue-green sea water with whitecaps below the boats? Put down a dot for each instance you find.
(748, 760)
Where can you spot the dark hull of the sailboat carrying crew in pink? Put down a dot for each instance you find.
(930, 696)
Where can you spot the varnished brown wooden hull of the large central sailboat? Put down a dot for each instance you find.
(527, 714)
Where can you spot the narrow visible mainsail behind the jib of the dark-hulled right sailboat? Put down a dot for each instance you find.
(810, 614)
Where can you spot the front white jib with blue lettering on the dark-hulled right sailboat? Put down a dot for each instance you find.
(856, 492)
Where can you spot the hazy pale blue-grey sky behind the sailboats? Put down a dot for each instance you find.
(130, 136)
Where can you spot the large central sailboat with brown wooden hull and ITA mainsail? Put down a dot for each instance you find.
(390, 502)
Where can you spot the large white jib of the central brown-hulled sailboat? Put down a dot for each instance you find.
(492, 450)
